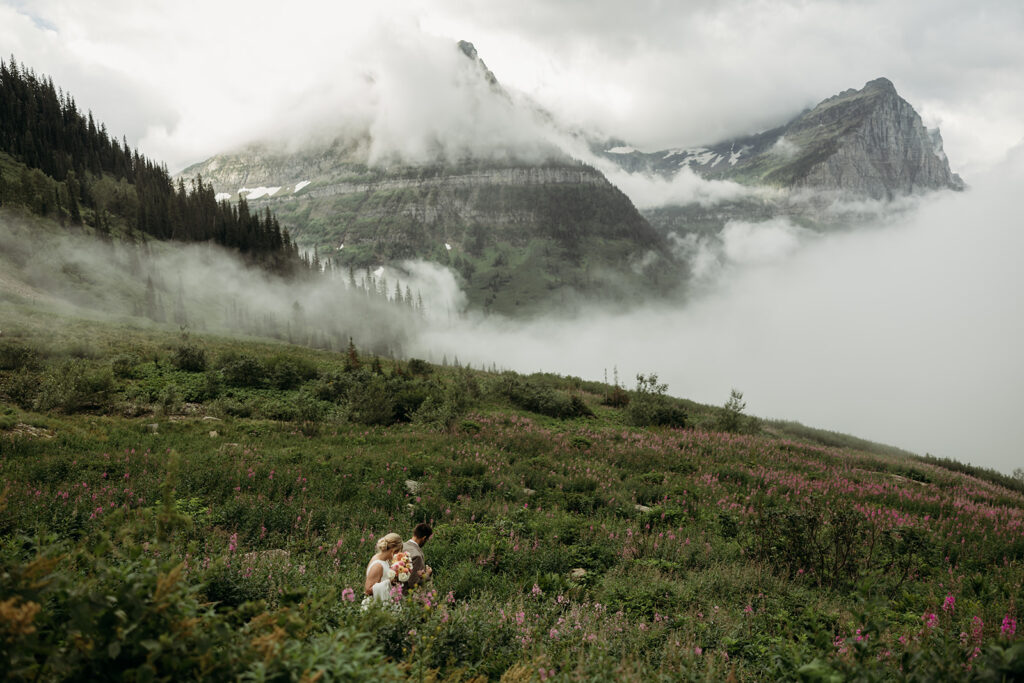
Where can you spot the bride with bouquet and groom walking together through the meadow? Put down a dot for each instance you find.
(398, 568)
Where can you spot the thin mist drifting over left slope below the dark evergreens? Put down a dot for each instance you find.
(206, 288)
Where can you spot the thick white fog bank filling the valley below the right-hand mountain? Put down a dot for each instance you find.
(907, 332)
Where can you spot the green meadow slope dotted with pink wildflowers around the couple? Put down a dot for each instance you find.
(751, 557)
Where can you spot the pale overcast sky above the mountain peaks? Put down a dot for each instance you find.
(186, 79)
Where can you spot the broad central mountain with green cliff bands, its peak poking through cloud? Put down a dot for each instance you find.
(523, 226)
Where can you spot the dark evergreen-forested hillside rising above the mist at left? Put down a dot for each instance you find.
(58, 162)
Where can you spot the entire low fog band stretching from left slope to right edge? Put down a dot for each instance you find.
(907, 331)
